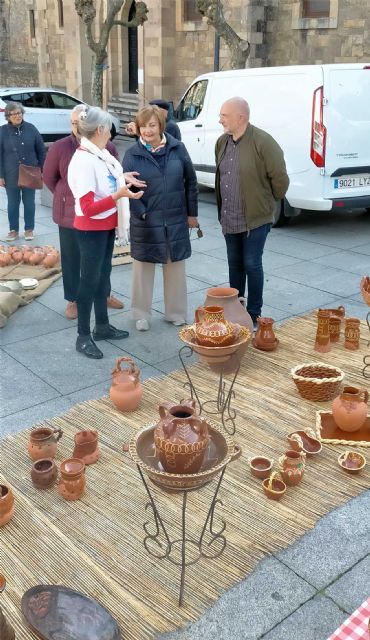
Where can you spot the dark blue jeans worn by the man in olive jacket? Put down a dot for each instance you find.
(244, 256)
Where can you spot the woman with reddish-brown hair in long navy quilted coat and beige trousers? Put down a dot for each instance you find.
(160, 220)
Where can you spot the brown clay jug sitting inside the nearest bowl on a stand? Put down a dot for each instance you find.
(181, 438)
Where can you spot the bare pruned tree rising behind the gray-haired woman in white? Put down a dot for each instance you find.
(87, 12)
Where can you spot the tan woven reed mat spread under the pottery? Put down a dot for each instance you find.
(95, 545)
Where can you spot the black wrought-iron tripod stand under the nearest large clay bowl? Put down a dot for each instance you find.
(158, 544)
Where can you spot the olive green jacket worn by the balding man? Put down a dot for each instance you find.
(263, 176)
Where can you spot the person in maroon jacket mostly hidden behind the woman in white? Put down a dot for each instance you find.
(55, 177)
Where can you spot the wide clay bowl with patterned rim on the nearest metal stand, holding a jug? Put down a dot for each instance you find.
(221, 450)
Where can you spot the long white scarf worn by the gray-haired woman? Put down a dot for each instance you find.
(123, 207)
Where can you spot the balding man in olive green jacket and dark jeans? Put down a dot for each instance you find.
(251, 177)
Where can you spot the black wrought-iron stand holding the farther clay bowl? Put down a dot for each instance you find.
(222, 404)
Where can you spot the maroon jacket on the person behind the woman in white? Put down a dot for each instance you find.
(56, 174)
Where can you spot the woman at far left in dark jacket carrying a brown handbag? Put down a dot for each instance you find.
(20, 143)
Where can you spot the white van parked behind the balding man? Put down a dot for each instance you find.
(319, 114)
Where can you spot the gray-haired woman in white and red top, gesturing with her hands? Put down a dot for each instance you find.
(96, 180)
